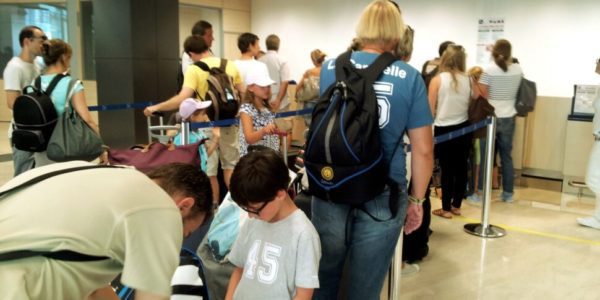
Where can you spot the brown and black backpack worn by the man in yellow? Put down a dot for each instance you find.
(225, 99)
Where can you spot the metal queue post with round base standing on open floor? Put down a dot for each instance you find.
(485, 229)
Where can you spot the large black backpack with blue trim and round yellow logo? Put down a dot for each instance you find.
(344, 157)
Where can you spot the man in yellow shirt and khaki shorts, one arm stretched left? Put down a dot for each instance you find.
(195, 82)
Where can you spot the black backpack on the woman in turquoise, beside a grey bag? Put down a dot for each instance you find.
(34, 116)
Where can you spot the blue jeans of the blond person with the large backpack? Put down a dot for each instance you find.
(367, 244)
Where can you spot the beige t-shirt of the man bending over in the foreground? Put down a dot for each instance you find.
(119, 213)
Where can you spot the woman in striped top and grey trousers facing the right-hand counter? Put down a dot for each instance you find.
(499, 84)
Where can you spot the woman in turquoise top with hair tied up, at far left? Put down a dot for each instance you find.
(57, 57)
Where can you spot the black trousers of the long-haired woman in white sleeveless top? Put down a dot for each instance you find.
(453, 156)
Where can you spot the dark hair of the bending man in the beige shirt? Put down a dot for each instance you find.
(187, 180)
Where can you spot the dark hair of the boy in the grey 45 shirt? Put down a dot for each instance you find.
(258, 176)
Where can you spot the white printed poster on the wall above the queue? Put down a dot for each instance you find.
(489, 30)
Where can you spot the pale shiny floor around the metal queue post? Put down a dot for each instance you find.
(545, 255)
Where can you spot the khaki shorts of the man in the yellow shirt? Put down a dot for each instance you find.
(228, 151)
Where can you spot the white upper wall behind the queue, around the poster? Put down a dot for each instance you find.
(555, 40)
